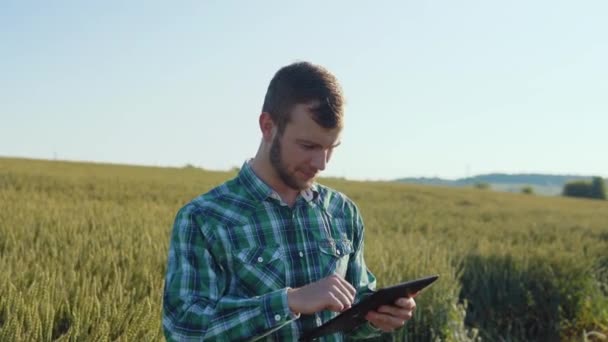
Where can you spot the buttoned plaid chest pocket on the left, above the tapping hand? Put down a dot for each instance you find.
(259, 270)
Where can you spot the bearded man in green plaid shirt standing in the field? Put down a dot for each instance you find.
(271, 254)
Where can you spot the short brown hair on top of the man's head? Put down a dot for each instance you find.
(303, 83)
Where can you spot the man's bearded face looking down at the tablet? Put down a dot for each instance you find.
(303, 150)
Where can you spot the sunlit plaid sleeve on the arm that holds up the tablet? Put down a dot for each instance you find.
(361, 278)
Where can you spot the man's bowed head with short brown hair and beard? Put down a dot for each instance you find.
(301, 121)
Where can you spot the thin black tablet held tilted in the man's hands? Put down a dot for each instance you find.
(355, 316)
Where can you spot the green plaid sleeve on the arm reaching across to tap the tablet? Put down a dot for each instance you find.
(194, 305)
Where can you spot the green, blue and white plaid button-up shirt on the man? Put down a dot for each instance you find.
(235, 250)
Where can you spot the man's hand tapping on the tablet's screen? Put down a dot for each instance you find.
(331, 293)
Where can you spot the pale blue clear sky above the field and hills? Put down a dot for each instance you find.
(433, 88)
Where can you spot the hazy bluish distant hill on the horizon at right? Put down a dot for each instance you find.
(541, 183)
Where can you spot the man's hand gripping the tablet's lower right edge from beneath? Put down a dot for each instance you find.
(390, 317)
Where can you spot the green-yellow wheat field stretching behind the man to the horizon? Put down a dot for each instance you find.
(83, 249)
